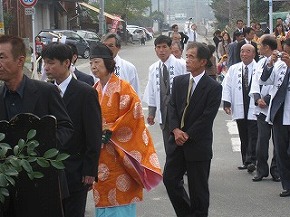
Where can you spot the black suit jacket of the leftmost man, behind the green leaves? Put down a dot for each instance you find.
(42, 98)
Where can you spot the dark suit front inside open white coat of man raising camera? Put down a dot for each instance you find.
(279, 98)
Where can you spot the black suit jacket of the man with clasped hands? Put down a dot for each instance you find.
(201, 112)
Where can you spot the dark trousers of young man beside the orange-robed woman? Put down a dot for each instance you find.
(75, 204)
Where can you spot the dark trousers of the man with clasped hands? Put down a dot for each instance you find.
(197, 202)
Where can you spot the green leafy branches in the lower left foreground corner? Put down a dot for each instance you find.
(23, 157)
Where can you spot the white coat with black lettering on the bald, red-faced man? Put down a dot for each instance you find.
(233, 92)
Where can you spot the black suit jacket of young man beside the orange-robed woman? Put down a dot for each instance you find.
(83, 107)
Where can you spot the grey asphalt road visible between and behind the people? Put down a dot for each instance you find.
(232, 191)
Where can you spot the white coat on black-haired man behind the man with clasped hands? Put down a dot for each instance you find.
(152, 90)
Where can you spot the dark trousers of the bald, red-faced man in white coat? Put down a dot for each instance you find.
(248, 133)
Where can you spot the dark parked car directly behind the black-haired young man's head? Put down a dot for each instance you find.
(66, 36)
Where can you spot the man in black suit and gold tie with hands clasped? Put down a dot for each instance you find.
(192, 111)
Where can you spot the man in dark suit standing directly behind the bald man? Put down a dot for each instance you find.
(249, 34)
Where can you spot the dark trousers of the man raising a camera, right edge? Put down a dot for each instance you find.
(282, 141)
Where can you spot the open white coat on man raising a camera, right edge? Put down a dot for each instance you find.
(276, 78)
